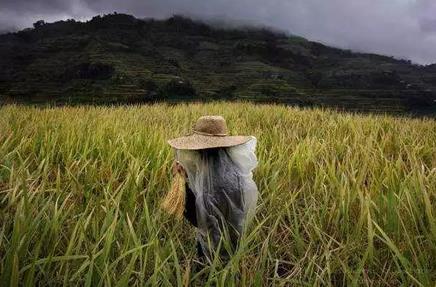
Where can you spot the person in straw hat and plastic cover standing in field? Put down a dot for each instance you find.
(219, 192)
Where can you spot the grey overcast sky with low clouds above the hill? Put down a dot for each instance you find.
(401, 28)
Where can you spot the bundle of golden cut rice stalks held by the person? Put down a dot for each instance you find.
(174, 201)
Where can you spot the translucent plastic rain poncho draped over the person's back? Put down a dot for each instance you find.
(226, 195)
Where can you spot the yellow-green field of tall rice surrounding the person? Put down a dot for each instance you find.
(345, 199)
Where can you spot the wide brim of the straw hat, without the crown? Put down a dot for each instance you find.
(197, 141)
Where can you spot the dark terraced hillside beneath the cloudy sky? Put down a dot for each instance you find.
(118, 58)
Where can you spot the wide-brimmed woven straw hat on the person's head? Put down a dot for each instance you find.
(208, 132)
